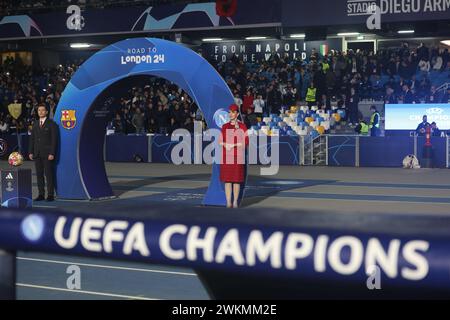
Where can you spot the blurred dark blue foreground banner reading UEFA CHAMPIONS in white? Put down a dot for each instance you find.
(416, 260)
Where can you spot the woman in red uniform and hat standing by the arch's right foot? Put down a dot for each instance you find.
(232, 170)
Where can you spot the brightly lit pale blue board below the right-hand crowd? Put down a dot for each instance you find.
(408, 116)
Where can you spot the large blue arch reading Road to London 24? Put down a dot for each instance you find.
(83, 111)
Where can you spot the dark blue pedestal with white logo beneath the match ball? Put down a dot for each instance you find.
(16, 189)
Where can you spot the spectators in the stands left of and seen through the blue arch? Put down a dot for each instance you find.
(156, 106)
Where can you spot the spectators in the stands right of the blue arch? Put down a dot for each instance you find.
(341, 78)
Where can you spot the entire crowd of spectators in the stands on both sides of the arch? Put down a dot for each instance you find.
(341, 79)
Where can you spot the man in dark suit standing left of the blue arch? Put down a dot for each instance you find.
(42, 150)
